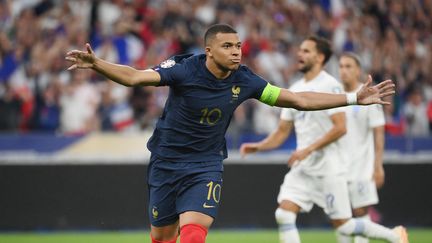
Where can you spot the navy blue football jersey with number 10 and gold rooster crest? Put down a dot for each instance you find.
(199, 109)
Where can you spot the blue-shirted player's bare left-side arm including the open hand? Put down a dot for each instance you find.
(121, 74)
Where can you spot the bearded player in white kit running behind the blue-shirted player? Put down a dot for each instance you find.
(317, 174)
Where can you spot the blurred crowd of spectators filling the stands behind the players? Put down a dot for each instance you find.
(393, 39)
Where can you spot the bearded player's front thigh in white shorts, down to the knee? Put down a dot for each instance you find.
(295, 192)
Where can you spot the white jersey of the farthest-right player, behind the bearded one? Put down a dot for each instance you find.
(358, 142)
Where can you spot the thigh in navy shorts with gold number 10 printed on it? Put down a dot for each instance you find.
(200, 193)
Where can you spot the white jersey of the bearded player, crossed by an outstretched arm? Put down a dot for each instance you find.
(312, 125)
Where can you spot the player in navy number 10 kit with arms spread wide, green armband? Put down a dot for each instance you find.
(188, 144)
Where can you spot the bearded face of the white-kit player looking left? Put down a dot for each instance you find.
(308, 56)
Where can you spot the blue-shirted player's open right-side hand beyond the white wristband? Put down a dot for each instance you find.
(369, 94)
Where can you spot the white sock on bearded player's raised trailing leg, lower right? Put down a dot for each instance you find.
(368, 229)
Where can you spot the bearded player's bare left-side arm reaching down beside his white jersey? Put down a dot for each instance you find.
(272, 141)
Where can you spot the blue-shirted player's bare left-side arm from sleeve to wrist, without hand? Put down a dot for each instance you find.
(122, 74)
